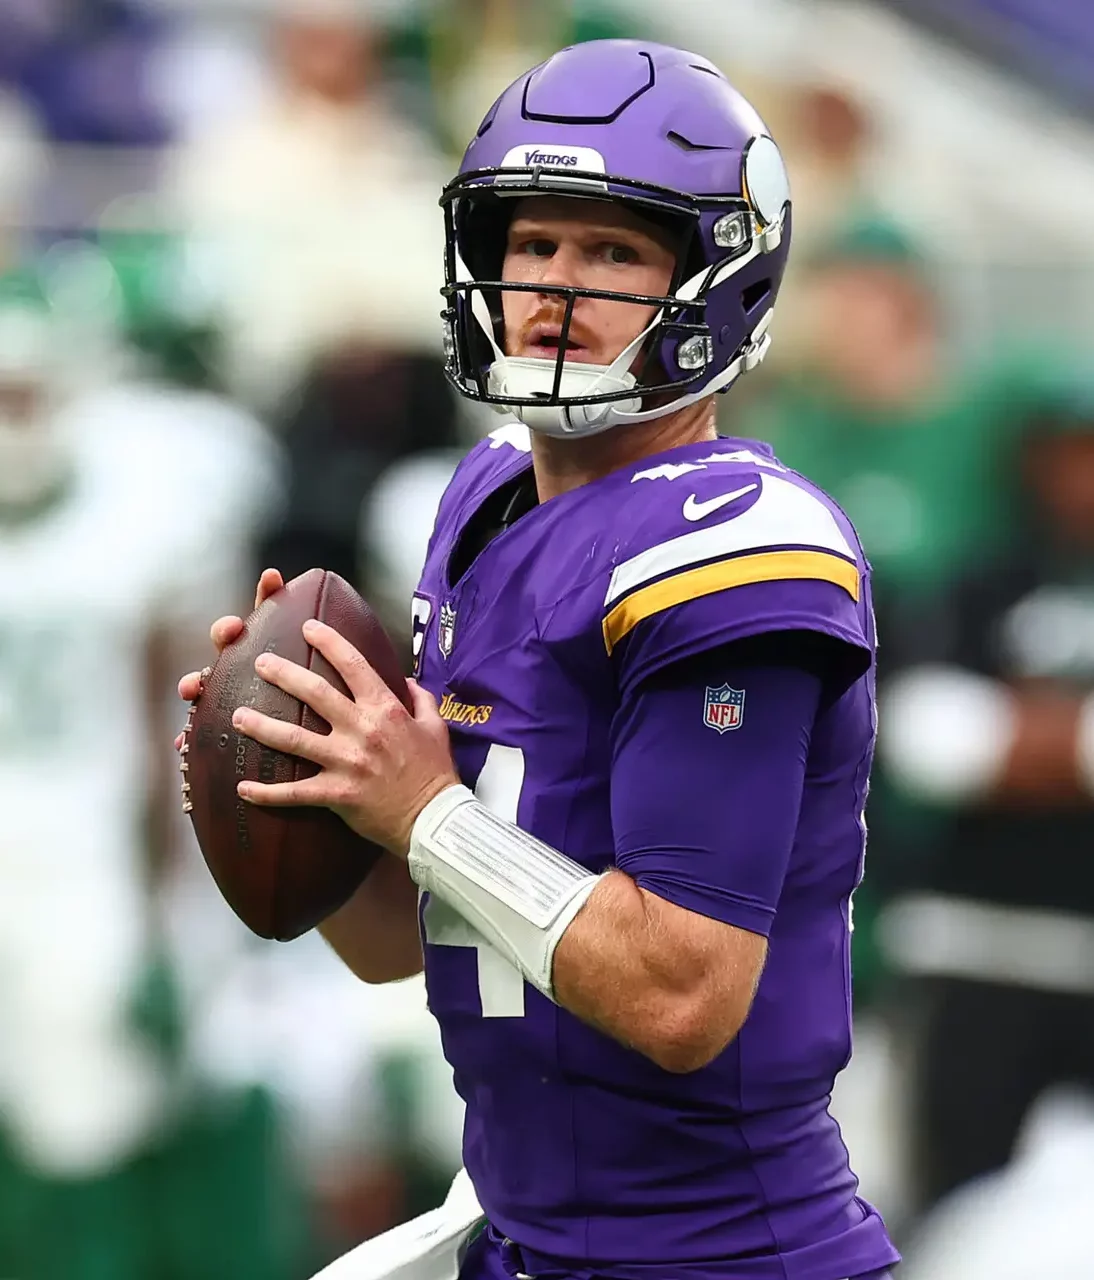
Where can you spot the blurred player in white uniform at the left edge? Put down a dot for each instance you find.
(113, 546)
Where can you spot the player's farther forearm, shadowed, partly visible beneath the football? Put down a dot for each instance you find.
(377, 932)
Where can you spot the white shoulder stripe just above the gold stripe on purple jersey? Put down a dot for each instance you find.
(784, 515)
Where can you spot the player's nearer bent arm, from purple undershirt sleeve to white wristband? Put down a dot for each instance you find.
(665, 952)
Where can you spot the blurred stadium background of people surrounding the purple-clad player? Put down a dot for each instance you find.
(219, 349)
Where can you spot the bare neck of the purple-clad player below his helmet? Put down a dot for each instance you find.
(565, 465)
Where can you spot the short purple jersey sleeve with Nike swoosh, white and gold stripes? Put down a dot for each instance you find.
(733, 557)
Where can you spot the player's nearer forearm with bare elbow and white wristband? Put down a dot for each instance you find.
(669, 982)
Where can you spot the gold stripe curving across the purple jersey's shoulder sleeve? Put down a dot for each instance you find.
(740, 572)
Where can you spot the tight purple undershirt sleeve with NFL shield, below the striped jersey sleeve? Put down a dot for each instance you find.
(706, 803)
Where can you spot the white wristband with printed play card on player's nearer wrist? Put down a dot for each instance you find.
(519, 893)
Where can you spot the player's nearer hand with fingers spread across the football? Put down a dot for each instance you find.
(379, 766)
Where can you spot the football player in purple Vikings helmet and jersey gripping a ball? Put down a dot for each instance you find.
(625, 820)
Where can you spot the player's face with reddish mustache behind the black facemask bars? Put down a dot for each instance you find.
(592, 245)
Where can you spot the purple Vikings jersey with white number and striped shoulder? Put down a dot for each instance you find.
(583, 1150)
